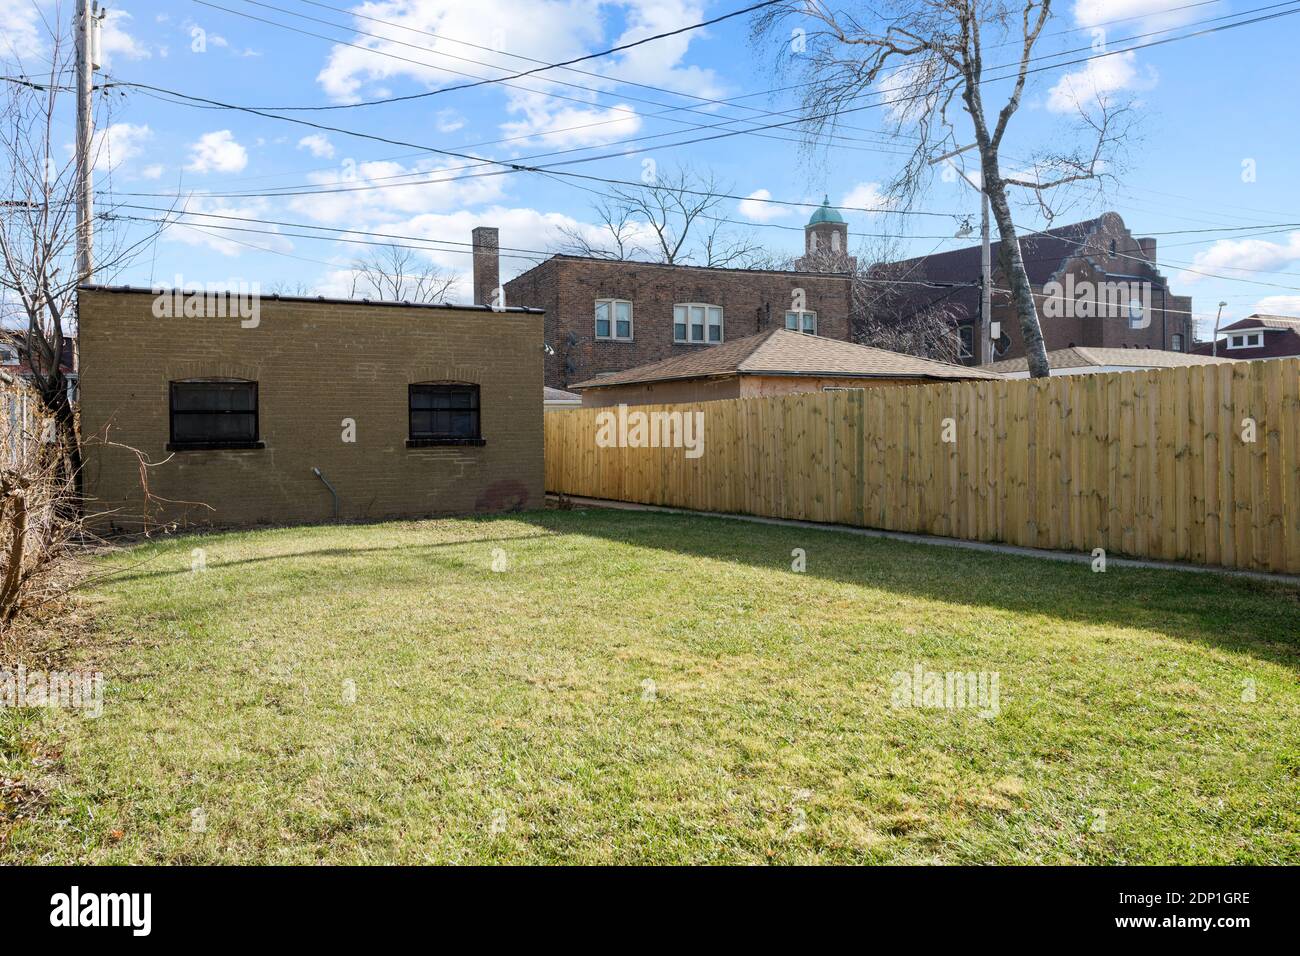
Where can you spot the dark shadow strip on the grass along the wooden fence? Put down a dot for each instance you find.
(1236, 615)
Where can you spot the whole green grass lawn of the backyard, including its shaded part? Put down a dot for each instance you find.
(658, 689)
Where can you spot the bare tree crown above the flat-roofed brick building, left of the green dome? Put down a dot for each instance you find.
(673, 219)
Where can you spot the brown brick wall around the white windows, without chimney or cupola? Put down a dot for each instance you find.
(753, 301)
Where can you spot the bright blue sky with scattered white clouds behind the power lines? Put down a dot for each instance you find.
(1215, 150)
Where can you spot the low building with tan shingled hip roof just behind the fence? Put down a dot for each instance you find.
(775, 362)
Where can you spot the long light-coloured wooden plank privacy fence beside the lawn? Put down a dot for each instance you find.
(1199, 464)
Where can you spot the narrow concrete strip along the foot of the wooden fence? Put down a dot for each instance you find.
(1294, 581)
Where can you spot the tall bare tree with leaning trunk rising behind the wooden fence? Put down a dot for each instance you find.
(924, 55)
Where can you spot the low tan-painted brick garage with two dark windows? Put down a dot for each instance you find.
(444, 405)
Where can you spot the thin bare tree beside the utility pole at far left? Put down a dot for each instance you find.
(38, 228)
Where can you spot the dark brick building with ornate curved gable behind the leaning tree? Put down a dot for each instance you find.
(1063, 263)
